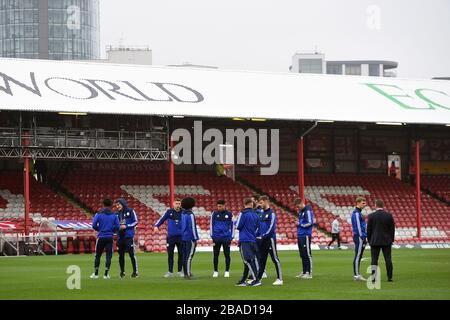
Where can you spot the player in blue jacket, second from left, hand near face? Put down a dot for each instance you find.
(125, 238)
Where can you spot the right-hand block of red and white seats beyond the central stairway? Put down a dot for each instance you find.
(335, 194)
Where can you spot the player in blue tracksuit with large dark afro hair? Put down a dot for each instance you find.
(189, 235)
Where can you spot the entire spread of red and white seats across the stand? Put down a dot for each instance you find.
(148, 194)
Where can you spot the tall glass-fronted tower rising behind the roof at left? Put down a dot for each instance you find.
(49, 29)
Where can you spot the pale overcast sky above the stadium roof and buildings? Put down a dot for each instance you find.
(264, 34)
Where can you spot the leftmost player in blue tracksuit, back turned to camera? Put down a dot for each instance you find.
(106, 224)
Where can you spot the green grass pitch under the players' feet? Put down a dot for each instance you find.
(418, 274)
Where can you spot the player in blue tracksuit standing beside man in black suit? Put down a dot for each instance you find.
(359, 236)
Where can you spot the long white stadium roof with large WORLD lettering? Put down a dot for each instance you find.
(57, 86)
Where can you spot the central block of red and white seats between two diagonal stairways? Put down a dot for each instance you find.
(147, 193)
